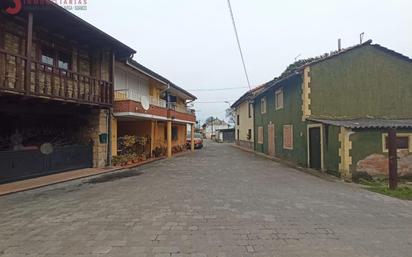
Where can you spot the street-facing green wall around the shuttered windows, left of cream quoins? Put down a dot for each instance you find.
(291, 114)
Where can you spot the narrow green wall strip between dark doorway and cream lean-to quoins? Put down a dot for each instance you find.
(331, 147)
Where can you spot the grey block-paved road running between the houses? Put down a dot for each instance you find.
(217, 202)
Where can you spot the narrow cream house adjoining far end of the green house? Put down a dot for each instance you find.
(243, 107)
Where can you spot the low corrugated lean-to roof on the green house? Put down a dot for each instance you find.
(365, 123)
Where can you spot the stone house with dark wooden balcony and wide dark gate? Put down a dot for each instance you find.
(56, 92)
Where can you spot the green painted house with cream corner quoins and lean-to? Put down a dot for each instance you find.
(333, 112)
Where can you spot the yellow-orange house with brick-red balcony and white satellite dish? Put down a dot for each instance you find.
(150, 108)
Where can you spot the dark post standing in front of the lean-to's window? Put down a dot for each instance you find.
(393, 159)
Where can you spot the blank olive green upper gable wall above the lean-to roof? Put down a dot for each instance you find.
(365, 82)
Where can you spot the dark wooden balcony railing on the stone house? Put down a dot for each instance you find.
(49, 81)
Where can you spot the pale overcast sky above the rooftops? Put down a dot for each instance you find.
(192, 43)
